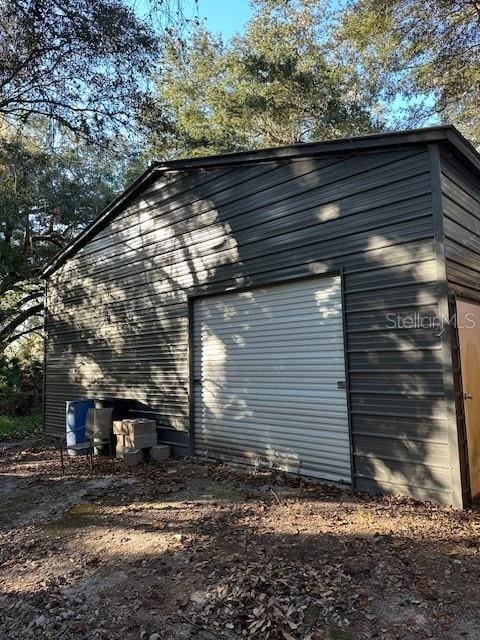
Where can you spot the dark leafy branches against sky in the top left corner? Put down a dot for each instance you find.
(78, 63)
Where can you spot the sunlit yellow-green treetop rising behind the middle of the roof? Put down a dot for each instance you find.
(273, 85)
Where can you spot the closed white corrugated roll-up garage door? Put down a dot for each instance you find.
(269, 371)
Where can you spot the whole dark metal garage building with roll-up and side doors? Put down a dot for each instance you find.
(284, 307)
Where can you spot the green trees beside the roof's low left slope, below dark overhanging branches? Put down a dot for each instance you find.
(47, 195)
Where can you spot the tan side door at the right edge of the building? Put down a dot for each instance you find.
(468, 322)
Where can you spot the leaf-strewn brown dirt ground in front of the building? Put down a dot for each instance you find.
(193, 550)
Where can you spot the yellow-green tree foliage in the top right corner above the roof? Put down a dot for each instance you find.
(424, 57)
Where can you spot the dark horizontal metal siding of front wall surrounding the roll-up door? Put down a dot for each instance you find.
(118, 309)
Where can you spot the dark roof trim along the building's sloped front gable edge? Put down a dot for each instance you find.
(446, 134)
